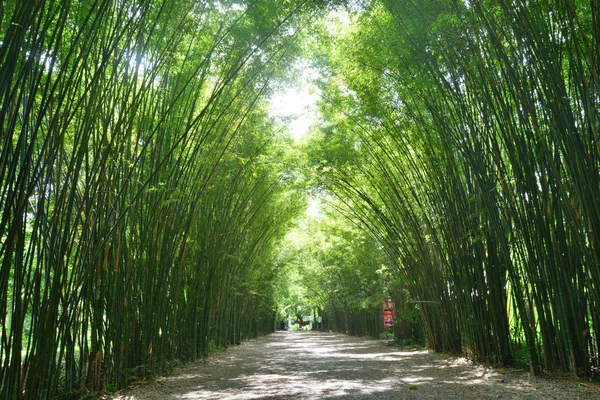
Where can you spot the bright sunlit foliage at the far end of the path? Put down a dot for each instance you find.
(333, 270)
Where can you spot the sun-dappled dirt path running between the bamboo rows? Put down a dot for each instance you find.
(314, 365)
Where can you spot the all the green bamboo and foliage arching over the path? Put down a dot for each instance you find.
(145, 193)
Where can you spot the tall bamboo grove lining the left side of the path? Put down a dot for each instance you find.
(140, 188)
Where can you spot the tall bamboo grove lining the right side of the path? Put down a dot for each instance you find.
(467, 143)
